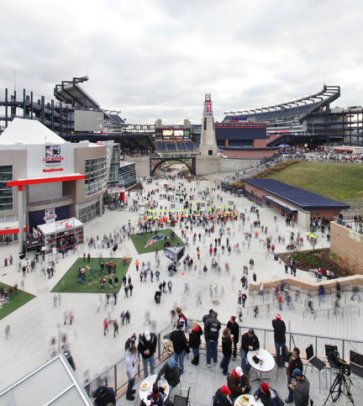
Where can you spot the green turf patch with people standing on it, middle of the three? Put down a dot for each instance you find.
(70, 282)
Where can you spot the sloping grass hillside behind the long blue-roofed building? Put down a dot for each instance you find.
(334, 180)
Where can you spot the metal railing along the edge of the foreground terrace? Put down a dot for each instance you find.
(116, 377)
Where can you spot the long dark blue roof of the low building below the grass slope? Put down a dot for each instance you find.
(299, 197)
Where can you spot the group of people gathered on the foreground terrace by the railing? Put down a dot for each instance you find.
(187, 337)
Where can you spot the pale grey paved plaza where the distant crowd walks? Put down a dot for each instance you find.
(34, 325)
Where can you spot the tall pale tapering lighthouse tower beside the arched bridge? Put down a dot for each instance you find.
(208, 144)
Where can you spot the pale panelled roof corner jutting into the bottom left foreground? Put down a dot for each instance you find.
(54, 383)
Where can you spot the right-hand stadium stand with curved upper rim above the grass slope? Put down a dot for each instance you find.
(310, 120)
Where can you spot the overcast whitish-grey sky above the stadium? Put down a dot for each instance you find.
(157, 58)
